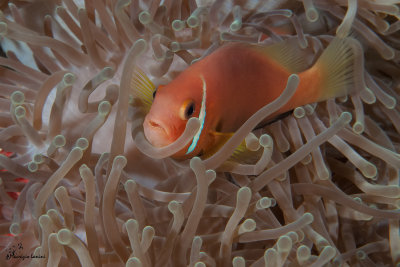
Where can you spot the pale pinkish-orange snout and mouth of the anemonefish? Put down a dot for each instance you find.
(156, 132)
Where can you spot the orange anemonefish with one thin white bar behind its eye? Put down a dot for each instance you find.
(228, 86)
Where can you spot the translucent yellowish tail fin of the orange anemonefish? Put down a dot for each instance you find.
(341, 68)
